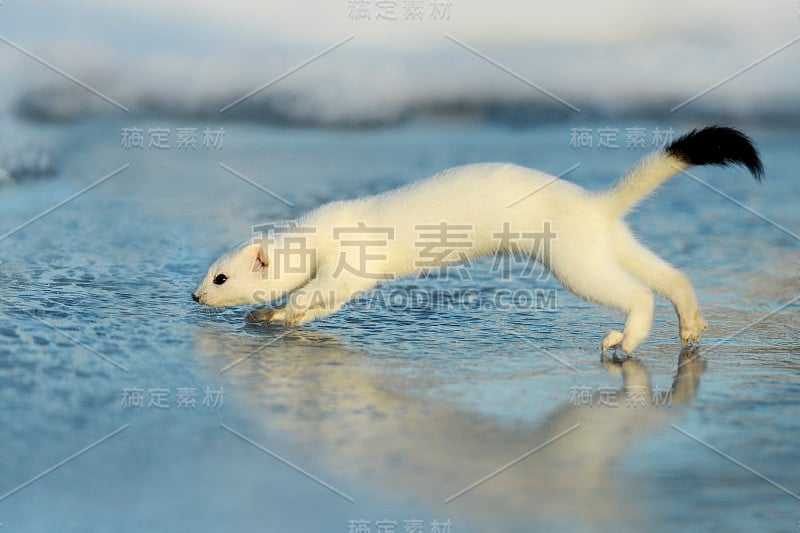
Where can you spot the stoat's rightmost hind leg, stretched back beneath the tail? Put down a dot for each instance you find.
(664, 279)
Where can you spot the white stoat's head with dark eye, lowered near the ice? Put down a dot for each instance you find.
(236, 278)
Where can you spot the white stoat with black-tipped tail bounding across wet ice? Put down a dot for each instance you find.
(349, 246)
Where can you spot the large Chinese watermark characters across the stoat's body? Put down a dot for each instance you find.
(363, 250)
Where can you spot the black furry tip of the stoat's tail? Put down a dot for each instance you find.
(718, 145)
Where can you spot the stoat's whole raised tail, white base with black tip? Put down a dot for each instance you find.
(714, 145)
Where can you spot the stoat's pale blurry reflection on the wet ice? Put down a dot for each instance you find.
(348, 416)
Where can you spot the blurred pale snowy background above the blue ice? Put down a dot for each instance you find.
(192, 58)
